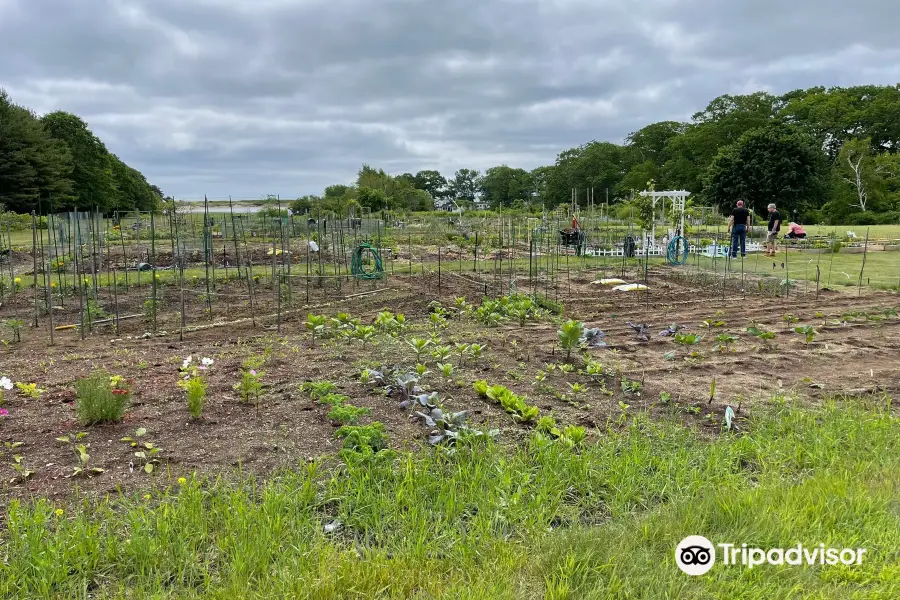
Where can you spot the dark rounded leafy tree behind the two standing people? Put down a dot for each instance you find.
(774, 164)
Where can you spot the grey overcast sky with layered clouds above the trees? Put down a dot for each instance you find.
(251, 97)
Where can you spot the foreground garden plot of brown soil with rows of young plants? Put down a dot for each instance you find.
(399, 368)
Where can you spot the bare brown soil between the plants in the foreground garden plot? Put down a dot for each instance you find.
(855, 352)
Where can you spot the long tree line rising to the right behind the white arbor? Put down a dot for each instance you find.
(823, 155)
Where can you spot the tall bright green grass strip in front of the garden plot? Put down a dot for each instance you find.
(483, 521)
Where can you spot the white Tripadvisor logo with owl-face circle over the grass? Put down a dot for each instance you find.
(696, 555)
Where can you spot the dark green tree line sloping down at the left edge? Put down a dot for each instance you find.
(54, 162)
